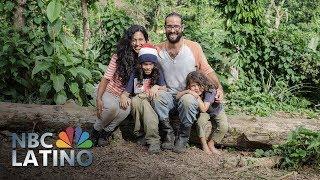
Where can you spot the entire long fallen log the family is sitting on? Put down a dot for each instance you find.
(245, 132)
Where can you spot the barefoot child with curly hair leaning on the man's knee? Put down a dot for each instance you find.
(198, 85)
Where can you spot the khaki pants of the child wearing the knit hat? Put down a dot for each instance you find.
(143, 113)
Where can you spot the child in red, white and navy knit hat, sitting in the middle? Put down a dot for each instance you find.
(145, 83)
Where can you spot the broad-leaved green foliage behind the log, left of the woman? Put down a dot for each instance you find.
(45, 62)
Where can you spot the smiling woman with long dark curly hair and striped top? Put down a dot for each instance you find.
(112, 108)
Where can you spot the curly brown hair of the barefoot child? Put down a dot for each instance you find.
(199, 78)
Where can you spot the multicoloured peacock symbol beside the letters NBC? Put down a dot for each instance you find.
(74, 138)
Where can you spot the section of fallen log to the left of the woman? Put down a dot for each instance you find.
(25, 117)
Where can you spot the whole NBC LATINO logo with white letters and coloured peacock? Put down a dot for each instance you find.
(72, 139)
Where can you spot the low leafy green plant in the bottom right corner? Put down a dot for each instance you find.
(301, 148)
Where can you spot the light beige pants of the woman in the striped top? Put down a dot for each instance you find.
(112, 115)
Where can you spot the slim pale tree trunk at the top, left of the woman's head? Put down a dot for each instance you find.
(86, 28)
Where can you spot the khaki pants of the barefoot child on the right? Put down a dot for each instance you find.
(221, 125)
